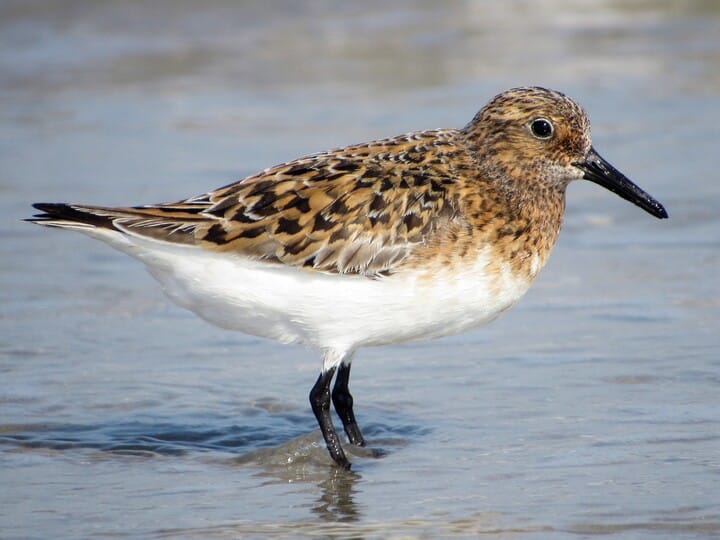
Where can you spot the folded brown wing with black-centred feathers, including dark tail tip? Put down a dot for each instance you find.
(359, 210)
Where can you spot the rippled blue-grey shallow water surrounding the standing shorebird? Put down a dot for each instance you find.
(590, 408)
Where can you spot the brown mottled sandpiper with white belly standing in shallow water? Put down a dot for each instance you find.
(413, 237)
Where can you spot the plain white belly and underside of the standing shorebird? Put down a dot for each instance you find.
(327, 311)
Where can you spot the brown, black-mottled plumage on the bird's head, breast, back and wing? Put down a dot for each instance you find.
(370, 208)
